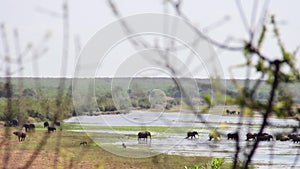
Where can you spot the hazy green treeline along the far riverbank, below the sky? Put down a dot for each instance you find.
(48, 98)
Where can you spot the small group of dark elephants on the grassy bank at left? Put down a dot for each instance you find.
(30, 127)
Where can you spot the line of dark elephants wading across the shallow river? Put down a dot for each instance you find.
(214, 135)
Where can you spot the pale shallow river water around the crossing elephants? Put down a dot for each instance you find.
(273, 154)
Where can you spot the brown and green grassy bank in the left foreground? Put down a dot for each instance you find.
(61, 149)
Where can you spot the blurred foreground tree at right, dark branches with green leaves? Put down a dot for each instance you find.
(275, 71)
